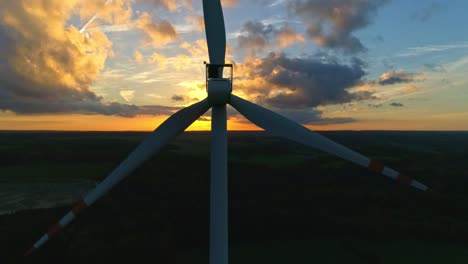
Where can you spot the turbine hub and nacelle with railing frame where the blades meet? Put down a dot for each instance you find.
(218, 85)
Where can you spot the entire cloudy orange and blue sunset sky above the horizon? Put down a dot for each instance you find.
(328, 64)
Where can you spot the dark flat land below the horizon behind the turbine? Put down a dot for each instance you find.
(287, 201)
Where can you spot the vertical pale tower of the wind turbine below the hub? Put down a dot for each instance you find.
(219, 187)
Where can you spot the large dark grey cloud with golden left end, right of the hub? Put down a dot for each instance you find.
(301, 82)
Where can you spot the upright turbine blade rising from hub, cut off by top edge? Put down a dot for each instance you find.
(215, 31)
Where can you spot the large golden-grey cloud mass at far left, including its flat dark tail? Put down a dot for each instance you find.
(48, 67)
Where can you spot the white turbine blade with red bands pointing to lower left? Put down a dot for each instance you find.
(168, 130)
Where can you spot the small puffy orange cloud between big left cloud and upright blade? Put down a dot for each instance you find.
(158, 33)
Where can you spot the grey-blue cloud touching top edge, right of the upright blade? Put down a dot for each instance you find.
(331, 23)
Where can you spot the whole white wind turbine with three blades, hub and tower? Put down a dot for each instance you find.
(219, 94)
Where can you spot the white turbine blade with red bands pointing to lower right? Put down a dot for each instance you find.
(283, 127)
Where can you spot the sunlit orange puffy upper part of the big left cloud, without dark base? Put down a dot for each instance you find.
(48, 53)
